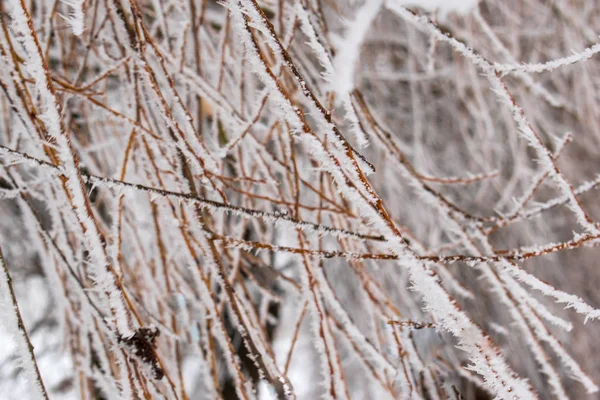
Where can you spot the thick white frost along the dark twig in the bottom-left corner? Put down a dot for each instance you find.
(10, 323)
